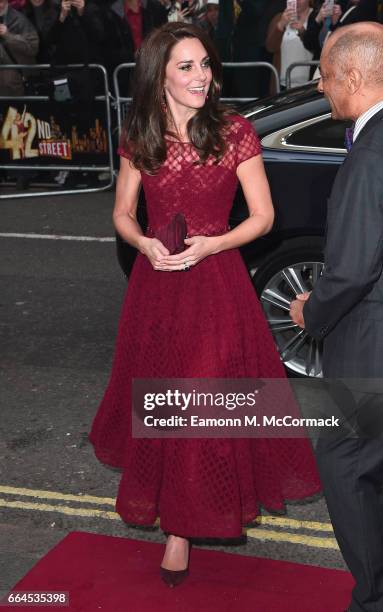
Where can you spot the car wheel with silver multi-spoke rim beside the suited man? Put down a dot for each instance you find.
(277, 283)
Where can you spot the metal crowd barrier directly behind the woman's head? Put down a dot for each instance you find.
(122, 102)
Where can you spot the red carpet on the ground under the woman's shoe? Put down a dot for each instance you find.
(121, 575)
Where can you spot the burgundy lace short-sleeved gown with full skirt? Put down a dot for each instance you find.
(206, 322)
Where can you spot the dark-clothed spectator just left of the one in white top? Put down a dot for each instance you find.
(249, 45)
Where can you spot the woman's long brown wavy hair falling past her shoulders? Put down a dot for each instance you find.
(146, 124)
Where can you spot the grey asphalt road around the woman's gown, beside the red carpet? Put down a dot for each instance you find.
(60, 302)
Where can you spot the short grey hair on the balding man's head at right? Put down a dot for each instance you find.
(361, 49)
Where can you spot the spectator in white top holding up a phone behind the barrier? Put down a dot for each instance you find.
(284, 41)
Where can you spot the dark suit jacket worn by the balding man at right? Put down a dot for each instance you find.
(345, 308)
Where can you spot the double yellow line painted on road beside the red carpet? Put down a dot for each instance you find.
(271, 528)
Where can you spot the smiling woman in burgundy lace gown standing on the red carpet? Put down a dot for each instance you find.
(194, 314)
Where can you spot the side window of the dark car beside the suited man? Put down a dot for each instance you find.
(327, 133)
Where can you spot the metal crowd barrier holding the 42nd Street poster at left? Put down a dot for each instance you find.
(109, 168)
